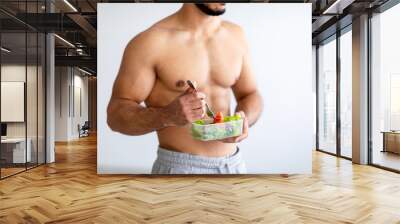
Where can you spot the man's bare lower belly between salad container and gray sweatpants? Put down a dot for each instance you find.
(179, 139)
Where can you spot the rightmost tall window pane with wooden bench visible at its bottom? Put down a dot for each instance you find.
(386, 88)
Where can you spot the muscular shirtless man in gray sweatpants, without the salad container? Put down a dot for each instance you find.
(191, 44)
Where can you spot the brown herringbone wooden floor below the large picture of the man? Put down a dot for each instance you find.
(70, 191)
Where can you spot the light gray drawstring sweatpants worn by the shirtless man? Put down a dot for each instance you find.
(171, 162)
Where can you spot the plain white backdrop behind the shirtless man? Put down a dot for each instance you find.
(279, 37)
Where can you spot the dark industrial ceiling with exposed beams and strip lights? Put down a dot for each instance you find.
(76, 22)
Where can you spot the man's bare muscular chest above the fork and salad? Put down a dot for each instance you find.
(207, 63)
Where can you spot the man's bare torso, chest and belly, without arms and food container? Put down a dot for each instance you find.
(213, 61)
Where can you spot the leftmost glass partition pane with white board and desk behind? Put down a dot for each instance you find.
(13, 88)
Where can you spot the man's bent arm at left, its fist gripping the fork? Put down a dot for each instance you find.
(133, 85)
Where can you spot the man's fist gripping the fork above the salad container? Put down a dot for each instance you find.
(186, 108)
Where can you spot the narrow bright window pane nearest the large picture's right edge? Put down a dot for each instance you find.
(327, 96)
